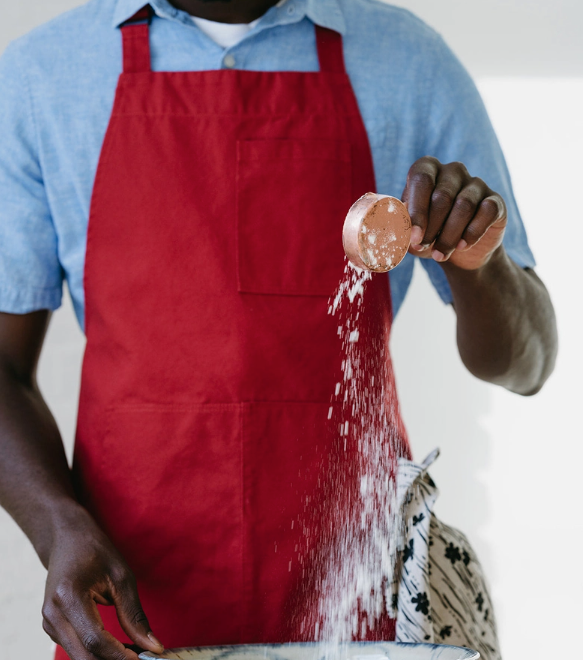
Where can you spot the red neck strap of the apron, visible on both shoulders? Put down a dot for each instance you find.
(136, 45)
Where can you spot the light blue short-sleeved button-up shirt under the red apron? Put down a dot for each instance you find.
(57, 86)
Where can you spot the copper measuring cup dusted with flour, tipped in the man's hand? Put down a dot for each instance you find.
(377, 232)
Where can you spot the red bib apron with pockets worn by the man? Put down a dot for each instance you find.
(214, 243)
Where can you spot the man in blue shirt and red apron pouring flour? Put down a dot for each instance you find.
(196, 213)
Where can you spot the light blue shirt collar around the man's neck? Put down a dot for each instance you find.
(326, 13)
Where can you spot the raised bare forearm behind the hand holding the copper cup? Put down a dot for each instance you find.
(506, 328)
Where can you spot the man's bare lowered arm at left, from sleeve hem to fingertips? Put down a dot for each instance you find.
(84, 567)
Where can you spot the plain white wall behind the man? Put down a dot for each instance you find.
(510, 467)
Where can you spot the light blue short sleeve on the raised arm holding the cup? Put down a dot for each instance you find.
(458, 129)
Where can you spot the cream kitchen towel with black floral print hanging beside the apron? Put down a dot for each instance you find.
(440, 593)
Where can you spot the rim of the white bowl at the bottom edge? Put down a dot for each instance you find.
(313, 651)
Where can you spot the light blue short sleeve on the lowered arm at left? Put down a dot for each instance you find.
(31, 276)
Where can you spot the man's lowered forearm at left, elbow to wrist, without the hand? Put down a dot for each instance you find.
(35, 481)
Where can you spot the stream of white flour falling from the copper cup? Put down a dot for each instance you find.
(356, 584)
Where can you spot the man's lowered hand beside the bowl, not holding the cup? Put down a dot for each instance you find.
(85, 569)
